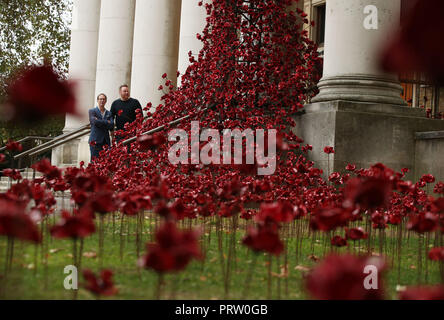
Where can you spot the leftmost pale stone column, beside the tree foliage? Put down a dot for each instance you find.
(83, 57)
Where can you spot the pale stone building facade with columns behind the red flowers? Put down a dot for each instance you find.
(360, 110)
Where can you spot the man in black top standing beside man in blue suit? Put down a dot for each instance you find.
(123, 110)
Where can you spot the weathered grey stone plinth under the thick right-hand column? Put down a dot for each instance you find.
(363, 134)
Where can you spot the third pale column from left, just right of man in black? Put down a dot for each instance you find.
(156, 45)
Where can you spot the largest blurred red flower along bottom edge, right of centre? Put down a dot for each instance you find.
(341, 277)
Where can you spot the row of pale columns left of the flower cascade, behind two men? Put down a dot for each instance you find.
(126, 41)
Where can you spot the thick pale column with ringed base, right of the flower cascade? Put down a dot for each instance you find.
(351, 70)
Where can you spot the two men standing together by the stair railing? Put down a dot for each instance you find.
(102, 121)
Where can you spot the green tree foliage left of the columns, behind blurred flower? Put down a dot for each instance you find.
(33, 31)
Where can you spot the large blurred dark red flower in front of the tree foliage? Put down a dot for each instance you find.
(38, 92)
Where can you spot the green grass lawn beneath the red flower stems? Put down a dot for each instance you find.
(200, 280)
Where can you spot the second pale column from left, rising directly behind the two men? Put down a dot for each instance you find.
(115, 47)
